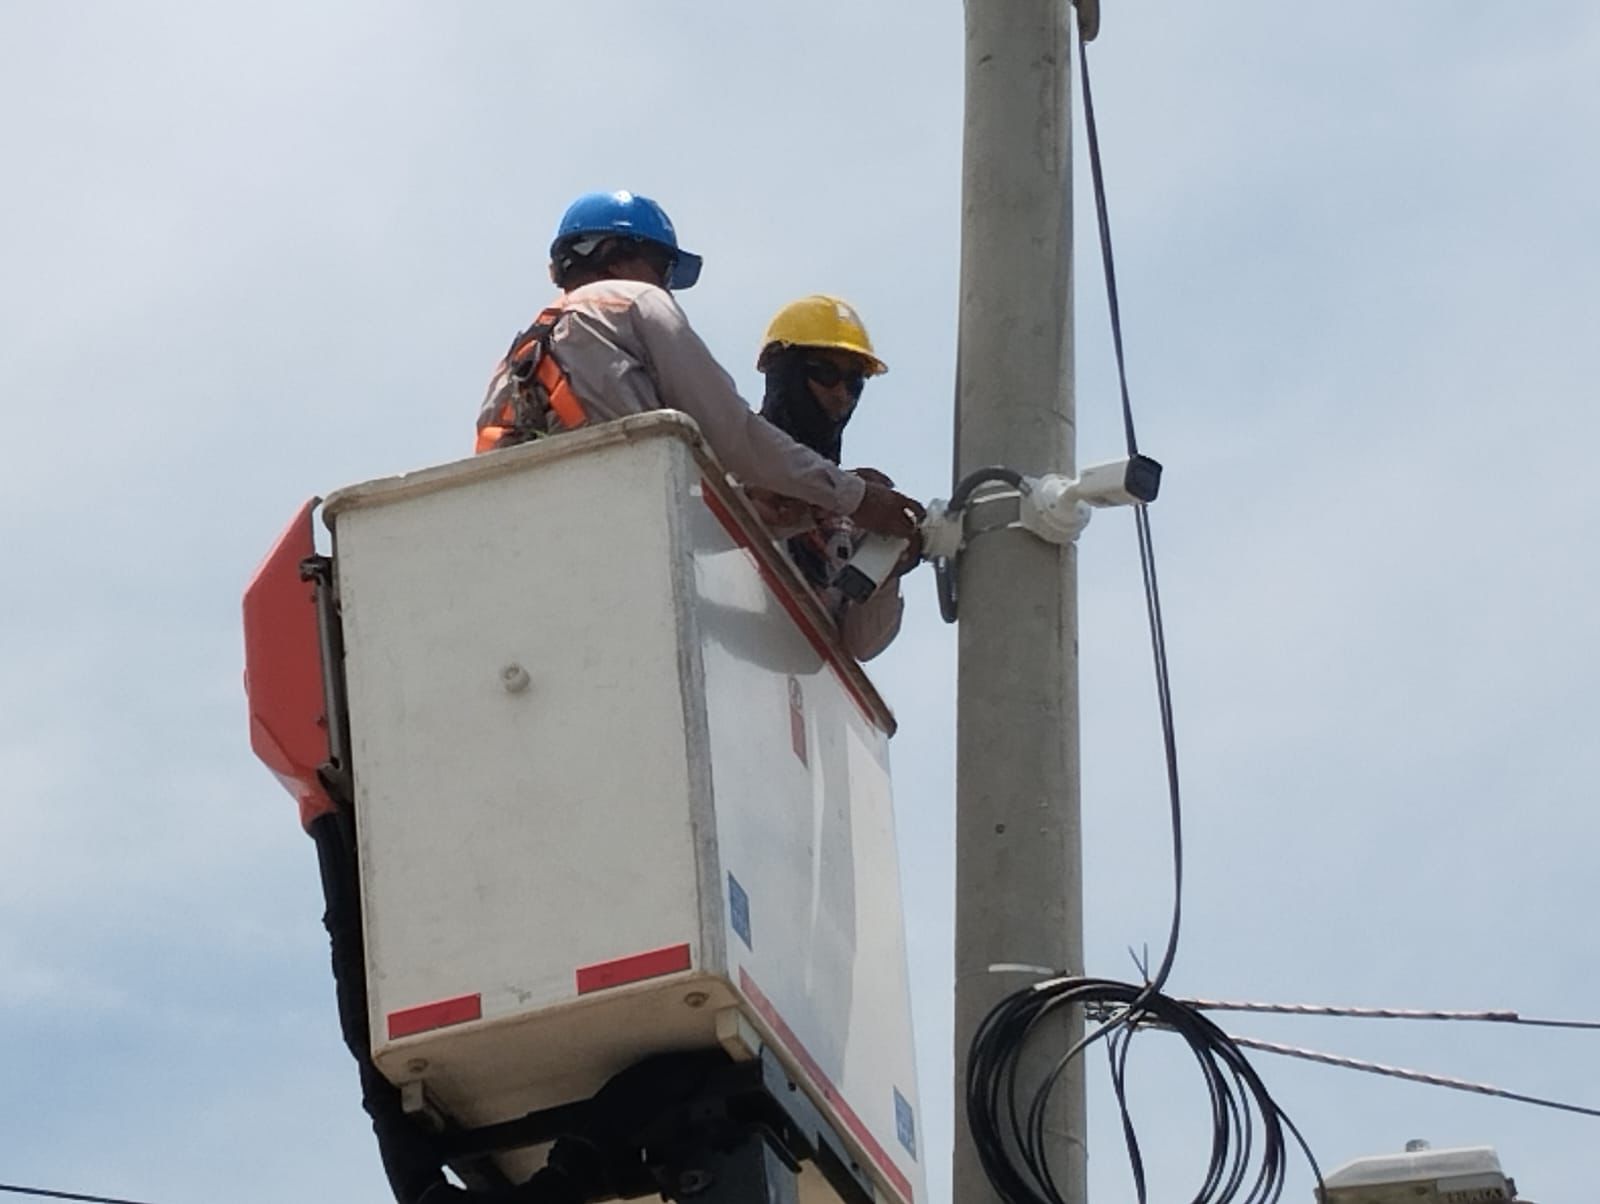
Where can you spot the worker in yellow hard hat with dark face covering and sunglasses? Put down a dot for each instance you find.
(817, 359)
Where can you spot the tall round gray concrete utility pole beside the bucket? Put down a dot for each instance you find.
(1018, 893)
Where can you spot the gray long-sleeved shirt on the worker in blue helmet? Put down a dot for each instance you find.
(628, 348)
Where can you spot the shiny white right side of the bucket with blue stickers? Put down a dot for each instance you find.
(807, 845)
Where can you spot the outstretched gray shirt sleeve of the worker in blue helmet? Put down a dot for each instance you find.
(689, 379)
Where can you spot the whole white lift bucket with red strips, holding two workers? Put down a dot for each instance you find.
(617, 787)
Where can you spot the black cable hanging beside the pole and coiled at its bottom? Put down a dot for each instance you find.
(1247, 1125)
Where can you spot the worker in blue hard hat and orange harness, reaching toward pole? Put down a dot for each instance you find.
(617, 343)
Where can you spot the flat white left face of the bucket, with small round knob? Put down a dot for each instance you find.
(511, 837)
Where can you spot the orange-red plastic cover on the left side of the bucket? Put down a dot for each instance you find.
(289, 721)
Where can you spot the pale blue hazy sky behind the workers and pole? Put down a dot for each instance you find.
(254, 255)
